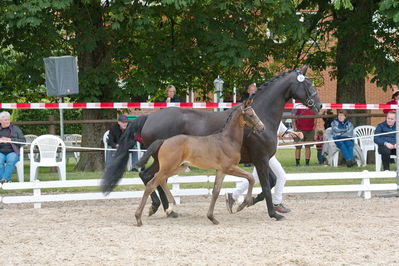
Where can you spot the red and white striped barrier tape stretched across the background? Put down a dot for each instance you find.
(197, 105)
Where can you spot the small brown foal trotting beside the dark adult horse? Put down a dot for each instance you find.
(220, 152)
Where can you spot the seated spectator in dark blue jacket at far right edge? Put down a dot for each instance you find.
(386, 143)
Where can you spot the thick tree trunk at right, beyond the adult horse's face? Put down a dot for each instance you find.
(351, 54)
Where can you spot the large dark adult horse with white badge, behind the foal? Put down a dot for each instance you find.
(268, 104)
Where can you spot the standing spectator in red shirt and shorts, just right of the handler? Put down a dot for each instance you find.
(306, 126)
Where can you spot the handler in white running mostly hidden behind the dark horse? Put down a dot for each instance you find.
(277, 170)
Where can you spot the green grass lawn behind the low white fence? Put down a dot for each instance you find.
(285, 156)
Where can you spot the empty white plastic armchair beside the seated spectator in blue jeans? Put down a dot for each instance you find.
(48, 146)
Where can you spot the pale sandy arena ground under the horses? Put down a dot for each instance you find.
(324, 229)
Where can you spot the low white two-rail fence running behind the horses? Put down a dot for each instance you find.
(364, 188)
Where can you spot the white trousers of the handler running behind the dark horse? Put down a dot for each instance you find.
(278, 170)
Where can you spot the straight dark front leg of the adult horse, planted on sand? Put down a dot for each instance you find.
(262, 167)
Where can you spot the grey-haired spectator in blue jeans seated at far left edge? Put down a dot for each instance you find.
(9, 152)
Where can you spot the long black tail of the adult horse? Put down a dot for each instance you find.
(116, 167)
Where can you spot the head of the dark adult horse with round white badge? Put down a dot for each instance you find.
(303, 90)
